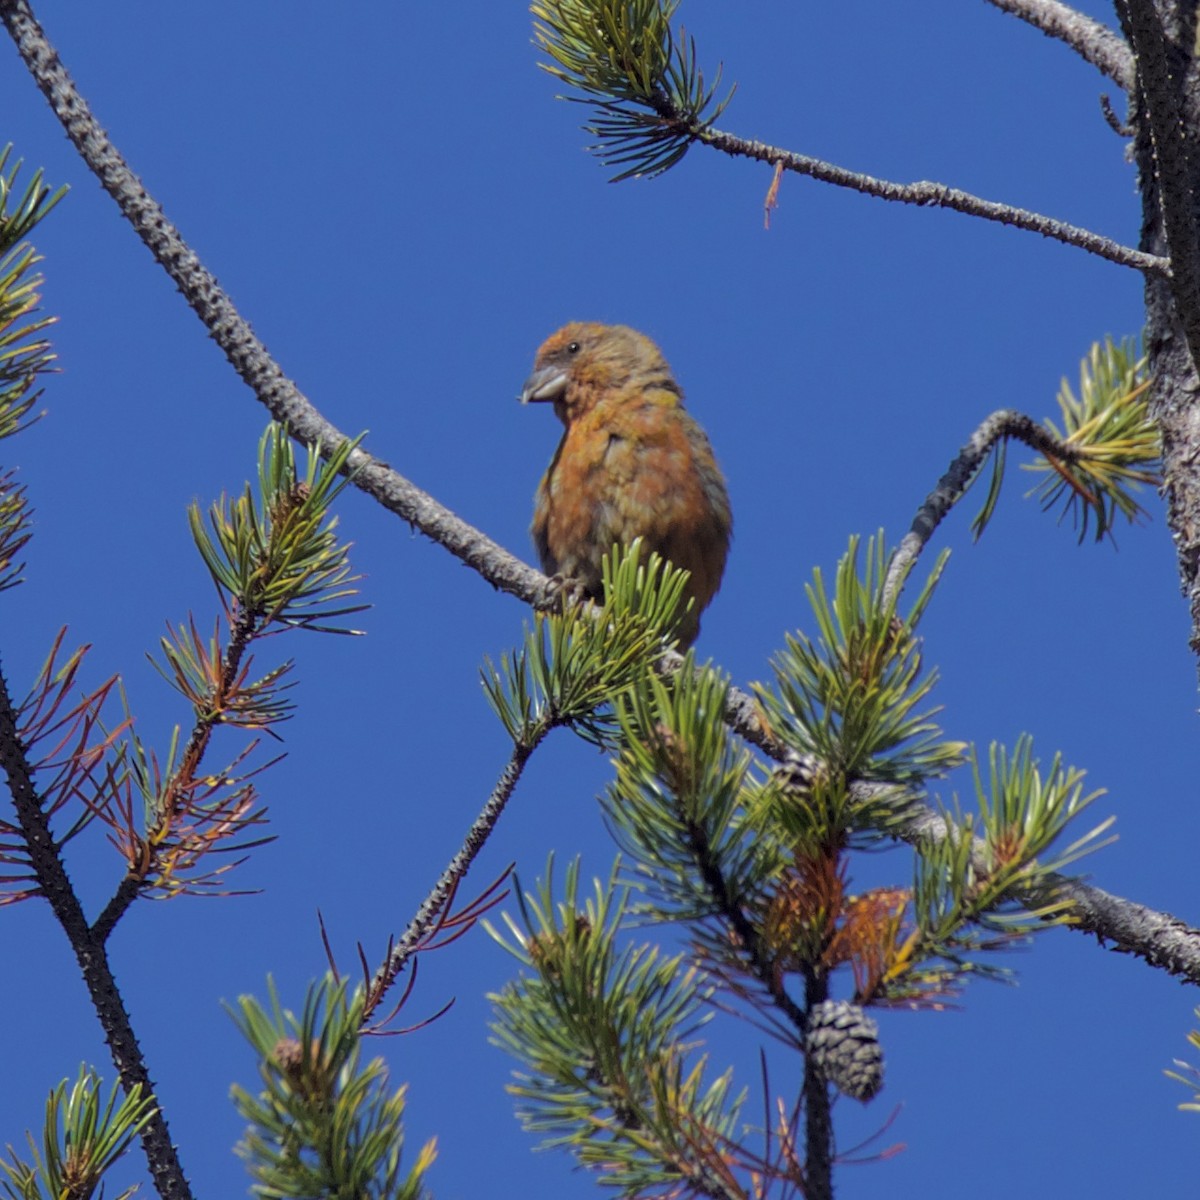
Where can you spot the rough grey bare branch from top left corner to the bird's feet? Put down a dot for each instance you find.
(248, 356)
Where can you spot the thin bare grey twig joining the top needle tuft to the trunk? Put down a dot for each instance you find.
(923, 194)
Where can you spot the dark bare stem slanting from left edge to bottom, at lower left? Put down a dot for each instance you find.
(53, 884)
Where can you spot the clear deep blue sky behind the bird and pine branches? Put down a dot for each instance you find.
(399, 206)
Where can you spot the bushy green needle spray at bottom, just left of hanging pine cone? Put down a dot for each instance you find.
(608, 1037)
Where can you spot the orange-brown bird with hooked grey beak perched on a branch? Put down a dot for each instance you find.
(633, 464)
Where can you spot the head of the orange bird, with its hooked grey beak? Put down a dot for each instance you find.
(586, 362)
